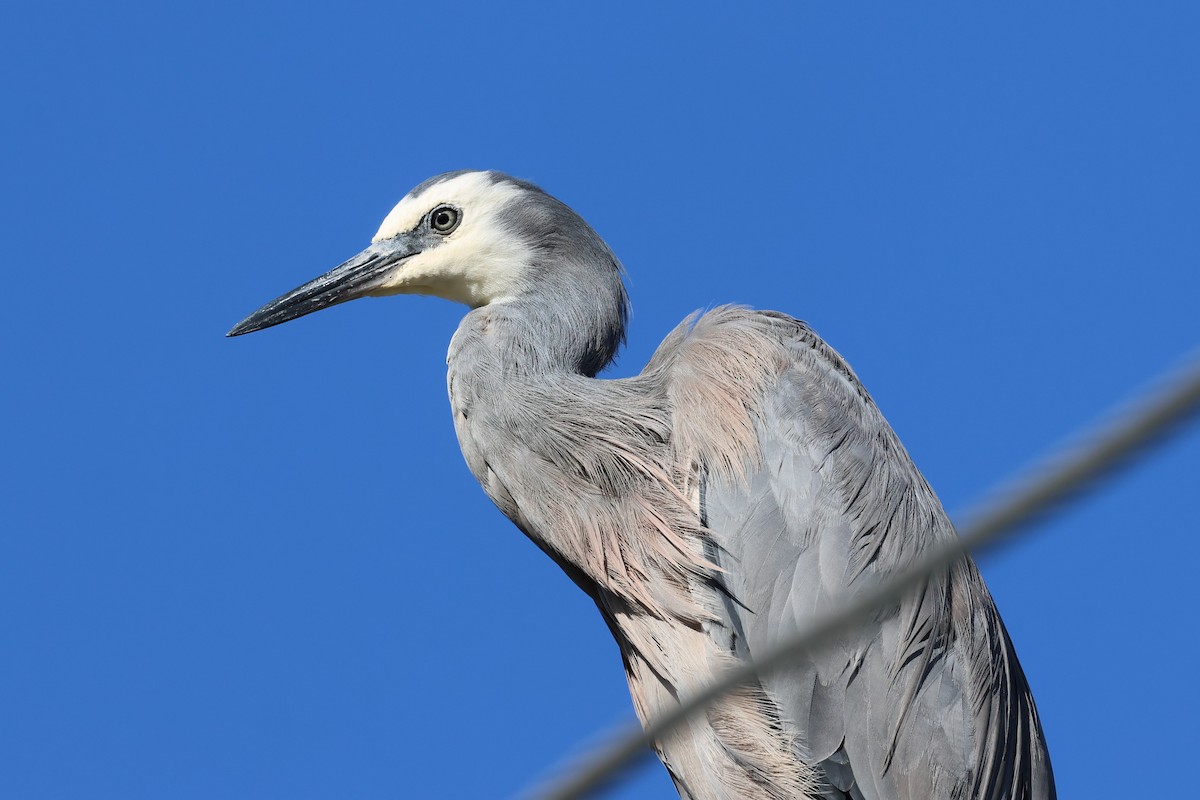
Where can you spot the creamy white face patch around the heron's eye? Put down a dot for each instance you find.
(479, 263)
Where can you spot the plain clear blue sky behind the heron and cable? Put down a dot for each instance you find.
(260, 569)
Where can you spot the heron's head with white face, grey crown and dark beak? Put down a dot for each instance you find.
(475, 238)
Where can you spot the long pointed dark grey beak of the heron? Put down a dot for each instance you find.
(355, 279)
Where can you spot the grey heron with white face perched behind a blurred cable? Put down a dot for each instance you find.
(742, 483)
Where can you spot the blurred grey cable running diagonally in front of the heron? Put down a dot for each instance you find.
(1005, 513)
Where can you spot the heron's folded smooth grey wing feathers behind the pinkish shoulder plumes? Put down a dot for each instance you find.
(926, 701)
